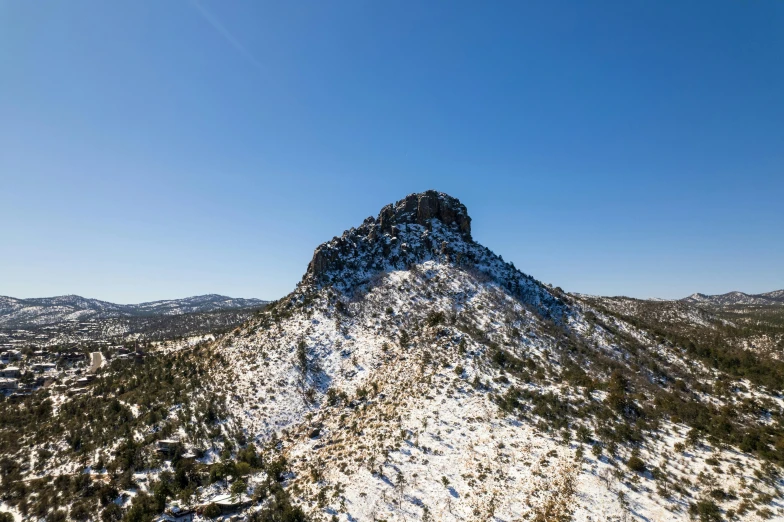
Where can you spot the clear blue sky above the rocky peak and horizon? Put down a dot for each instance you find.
(155, 150)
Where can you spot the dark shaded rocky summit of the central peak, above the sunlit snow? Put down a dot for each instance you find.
(420, 227)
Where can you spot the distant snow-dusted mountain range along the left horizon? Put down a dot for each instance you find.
(25, 313)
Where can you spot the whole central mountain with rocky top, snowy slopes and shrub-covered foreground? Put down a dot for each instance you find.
(413, 374)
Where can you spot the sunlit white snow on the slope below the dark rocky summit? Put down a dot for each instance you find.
(417, 439)
